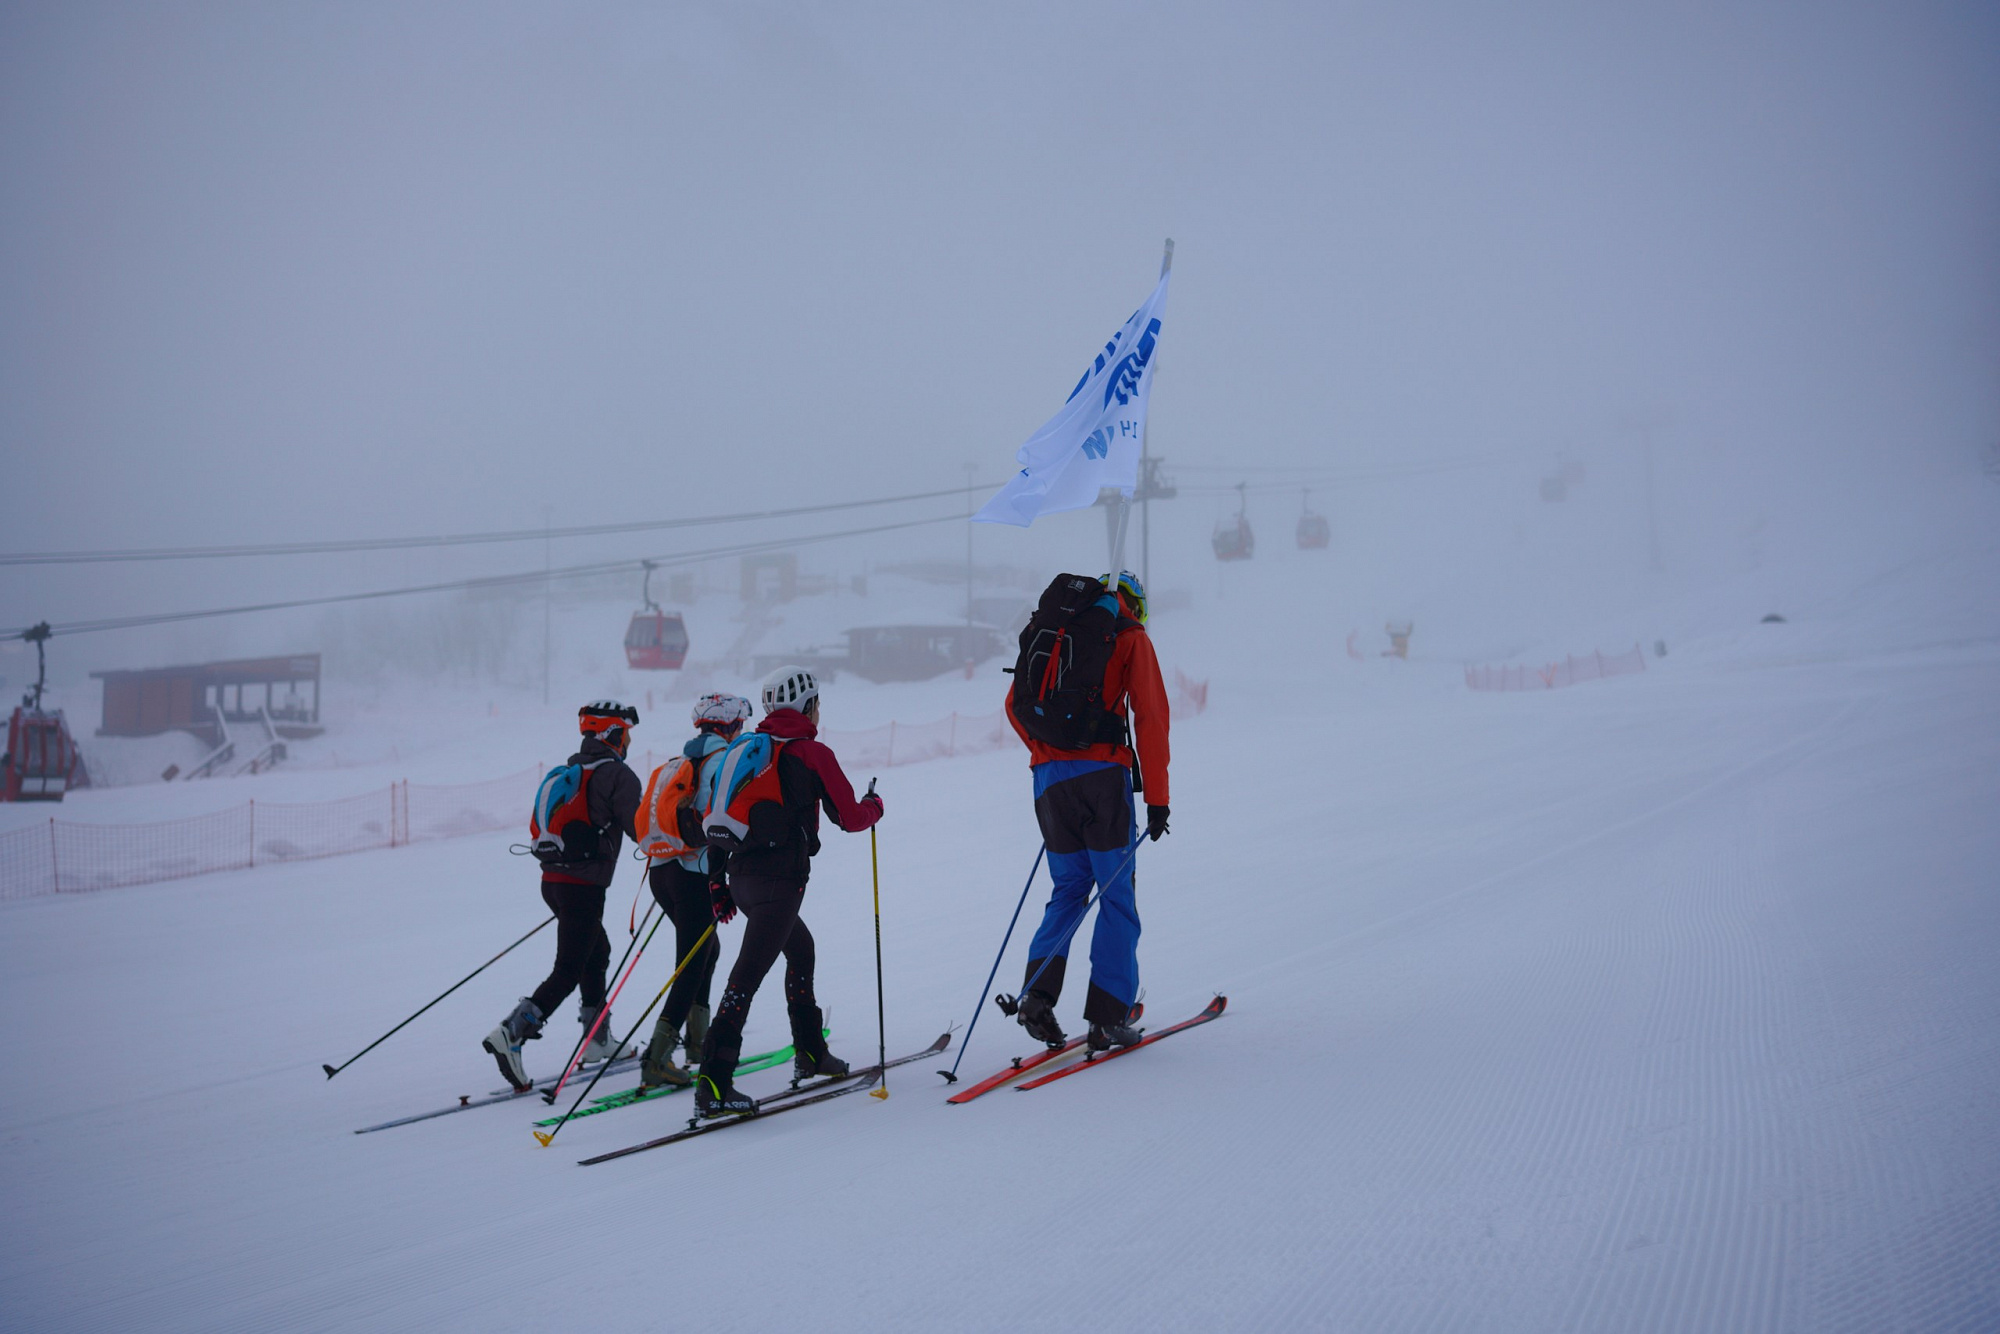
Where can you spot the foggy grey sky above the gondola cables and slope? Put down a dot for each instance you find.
(277, 273)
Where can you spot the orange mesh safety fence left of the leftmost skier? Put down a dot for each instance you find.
(65, 857)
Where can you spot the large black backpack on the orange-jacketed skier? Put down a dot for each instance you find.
(1059, 677)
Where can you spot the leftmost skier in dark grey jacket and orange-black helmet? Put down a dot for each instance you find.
(587, 835)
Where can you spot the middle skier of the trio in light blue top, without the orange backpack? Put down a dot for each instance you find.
(681, 887)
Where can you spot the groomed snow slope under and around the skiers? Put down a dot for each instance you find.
(1689, 1025)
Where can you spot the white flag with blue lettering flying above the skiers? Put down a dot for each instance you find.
(1095, 441)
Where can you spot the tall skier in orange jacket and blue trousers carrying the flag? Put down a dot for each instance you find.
(1083, 799)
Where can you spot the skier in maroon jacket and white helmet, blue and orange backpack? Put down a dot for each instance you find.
(775, 817)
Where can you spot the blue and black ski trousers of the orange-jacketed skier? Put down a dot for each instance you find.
(1085, 811)
